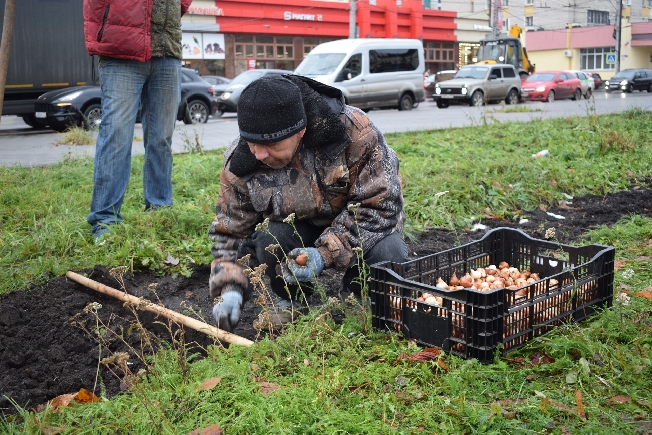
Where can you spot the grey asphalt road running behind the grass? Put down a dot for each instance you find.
(24, 146)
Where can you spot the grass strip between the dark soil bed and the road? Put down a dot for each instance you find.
(485, 170)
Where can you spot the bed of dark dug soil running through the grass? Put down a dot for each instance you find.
(47, 346)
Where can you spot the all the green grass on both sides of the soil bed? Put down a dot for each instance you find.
(333, 378)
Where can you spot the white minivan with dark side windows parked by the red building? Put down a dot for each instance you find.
(370, 72)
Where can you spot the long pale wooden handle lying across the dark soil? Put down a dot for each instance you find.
(144, 304)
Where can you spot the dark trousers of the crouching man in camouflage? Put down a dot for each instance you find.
(391, 248)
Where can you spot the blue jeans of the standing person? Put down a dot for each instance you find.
(127, 85)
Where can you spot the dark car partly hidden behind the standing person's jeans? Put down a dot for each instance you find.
(82, 105)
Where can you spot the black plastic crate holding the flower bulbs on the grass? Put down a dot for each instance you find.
(472, 323)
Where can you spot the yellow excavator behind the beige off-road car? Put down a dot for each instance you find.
(506, 49)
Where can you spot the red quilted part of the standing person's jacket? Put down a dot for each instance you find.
(120, 28)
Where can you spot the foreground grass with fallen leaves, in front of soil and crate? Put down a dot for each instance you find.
(324, 378)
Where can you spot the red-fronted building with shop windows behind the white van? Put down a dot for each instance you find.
(226, 37)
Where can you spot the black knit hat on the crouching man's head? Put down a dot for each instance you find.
(270, 109)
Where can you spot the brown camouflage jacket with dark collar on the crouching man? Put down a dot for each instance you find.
(343, 162)
